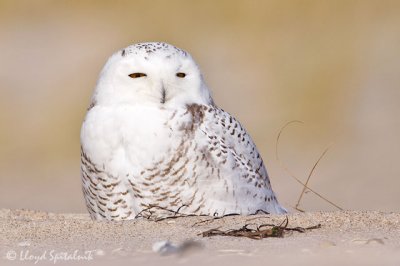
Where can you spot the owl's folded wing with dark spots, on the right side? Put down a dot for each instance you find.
(240, 168)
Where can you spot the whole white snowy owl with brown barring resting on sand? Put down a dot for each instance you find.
(154, 143)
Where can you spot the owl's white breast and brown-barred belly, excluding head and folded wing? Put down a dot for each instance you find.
(138, 154)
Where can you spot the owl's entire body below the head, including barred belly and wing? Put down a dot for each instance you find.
(156, 161)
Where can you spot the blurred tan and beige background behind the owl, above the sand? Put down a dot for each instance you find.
(335, 65)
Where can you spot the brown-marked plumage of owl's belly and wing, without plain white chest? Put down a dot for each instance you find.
(215, 160)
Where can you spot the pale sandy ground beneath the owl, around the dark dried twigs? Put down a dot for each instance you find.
(345, 238)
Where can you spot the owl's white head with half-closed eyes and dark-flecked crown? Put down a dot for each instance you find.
(151, 74)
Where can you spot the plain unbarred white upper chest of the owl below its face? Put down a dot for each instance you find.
(129, 139)
